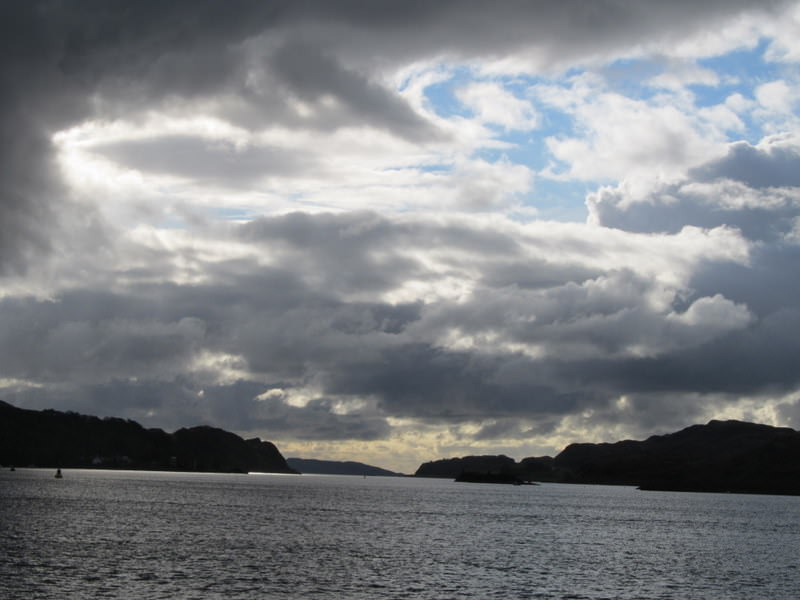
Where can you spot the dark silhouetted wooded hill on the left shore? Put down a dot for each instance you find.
(51, 438)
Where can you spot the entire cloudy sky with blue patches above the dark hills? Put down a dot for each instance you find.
(400, 231)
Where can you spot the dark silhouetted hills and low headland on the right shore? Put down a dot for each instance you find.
(721, 456)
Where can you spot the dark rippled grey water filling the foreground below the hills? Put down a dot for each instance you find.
(116, 534)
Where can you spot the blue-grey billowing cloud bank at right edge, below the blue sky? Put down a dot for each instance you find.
(754, 189)
